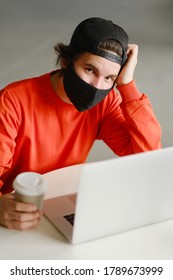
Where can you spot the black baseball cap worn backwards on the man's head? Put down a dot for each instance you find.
(92, 31)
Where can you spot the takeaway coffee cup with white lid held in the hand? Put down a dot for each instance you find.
(30, 187)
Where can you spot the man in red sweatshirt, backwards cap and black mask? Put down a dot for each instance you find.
(52, 121)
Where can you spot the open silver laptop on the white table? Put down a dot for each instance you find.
(114, 196)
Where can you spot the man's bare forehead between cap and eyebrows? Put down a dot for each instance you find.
(98, 62)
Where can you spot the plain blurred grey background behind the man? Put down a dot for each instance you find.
(30, 28)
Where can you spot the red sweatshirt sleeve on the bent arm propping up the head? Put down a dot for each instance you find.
(131, 126)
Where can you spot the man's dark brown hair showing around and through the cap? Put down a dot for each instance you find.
(69, 54)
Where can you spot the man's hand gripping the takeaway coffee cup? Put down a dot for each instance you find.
(17, 215)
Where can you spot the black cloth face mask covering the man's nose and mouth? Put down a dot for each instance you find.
(81, 94)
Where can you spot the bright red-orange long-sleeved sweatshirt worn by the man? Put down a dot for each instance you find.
(39, 132)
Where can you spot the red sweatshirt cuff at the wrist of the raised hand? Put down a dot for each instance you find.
(129, 92)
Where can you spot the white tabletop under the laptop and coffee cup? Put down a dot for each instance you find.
(152, 242)
